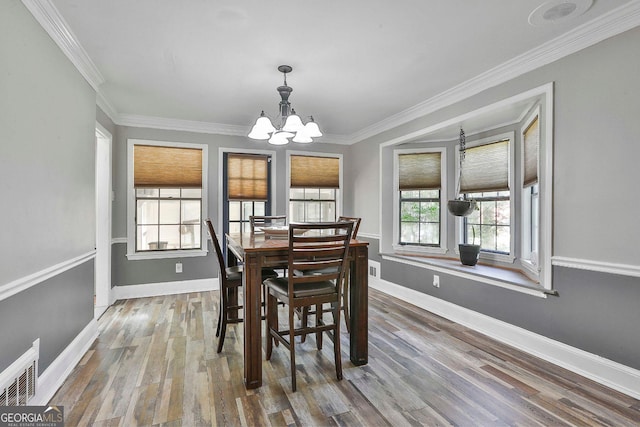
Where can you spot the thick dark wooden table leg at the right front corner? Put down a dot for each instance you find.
(359, 307)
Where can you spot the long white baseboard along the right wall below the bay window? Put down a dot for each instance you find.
(604, 371)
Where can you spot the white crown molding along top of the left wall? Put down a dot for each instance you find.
(54, 24)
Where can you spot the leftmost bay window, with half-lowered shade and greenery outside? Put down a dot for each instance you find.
(420, 188)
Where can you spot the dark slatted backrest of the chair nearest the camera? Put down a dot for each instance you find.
(318, 252)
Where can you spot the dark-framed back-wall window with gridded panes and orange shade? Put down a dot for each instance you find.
(247, 189)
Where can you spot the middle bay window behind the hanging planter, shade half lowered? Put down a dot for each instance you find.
(486, 177)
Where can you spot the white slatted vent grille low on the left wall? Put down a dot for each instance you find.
(18, 381)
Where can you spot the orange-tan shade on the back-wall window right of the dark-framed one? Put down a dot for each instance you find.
(315, 172)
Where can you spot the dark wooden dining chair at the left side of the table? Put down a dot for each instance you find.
(230, 279)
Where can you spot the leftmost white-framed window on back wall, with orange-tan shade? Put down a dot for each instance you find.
(167, 199)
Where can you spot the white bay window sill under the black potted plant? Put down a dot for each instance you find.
(492, 275)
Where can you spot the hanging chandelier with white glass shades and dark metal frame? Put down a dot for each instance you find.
(290, 124)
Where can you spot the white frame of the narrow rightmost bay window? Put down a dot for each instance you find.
(529, 260)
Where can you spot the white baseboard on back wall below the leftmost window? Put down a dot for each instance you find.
(164, 288)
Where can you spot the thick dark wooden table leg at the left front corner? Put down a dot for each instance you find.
(251, 289)
